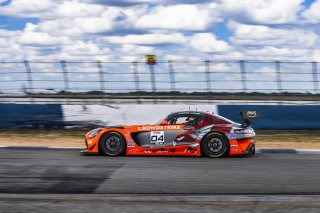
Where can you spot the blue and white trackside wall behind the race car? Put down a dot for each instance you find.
(66, 116)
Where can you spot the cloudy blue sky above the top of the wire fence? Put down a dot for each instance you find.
(126, 30)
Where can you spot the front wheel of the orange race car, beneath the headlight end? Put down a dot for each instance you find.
(112, 144)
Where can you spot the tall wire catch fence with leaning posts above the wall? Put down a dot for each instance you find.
(34, 77)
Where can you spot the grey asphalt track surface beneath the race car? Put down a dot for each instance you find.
(64, 180)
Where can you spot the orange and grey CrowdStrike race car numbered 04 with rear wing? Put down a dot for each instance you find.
(184, 133)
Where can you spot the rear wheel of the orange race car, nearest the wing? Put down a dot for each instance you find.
(215, 145)
